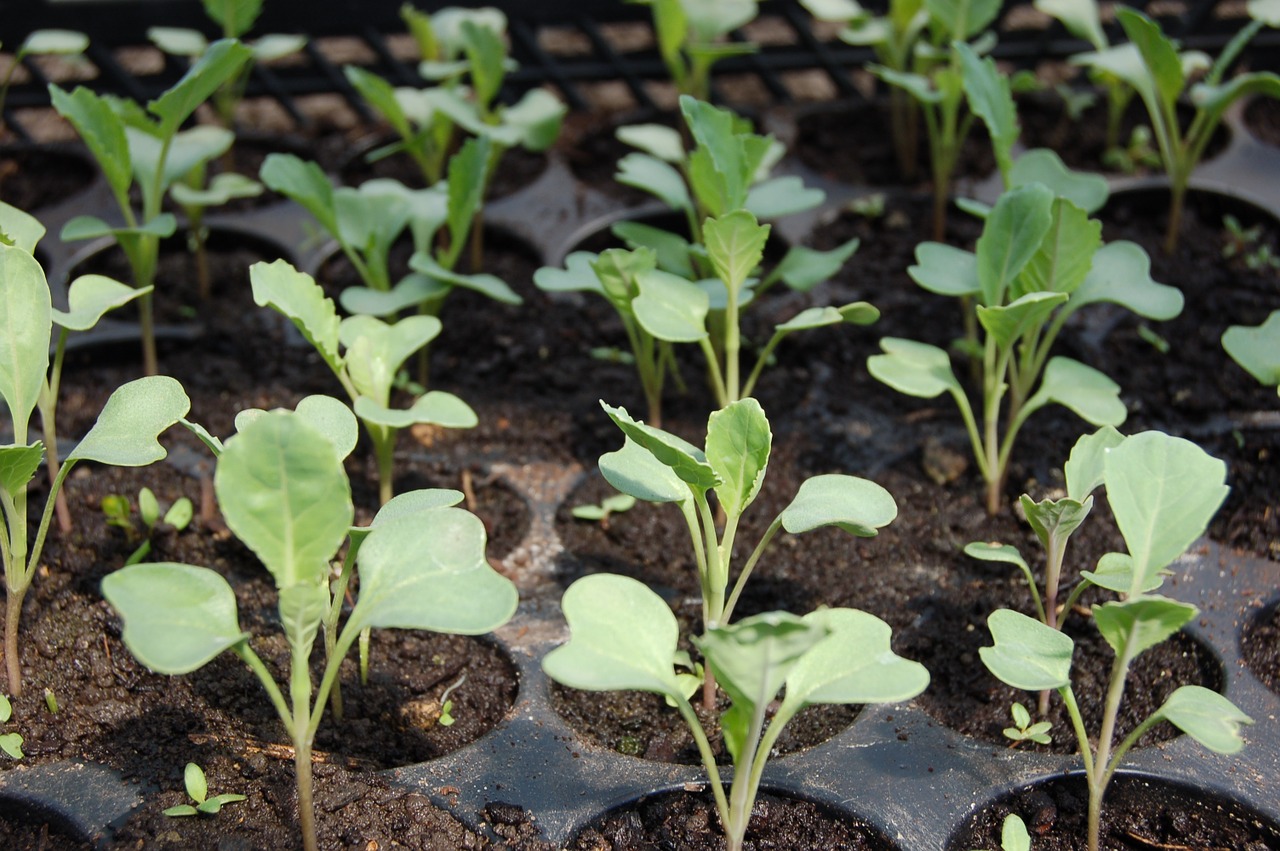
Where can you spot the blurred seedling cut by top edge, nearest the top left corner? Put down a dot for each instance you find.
(235, 19)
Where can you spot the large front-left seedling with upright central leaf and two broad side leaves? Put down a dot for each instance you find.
(284, 492)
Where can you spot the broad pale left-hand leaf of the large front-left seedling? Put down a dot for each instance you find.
(177, 617)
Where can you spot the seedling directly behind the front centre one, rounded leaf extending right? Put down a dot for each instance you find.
(660, 468)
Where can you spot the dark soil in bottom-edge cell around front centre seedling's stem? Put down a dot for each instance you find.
(689, 822)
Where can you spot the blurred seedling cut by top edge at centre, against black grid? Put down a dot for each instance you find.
(693, 38)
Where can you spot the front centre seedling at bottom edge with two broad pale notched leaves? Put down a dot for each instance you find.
(624, 637)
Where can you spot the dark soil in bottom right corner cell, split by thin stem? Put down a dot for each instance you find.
(1137, 816)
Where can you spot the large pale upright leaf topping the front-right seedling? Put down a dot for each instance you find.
(1164, 491)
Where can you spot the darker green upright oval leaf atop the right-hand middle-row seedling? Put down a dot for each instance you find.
(1011, 239)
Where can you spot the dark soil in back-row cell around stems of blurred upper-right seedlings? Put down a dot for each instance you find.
(852, 144)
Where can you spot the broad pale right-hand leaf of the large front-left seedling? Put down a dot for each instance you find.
(428, 571)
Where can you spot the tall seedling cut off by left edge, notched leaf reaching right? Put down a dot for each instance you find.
(125, 434)
